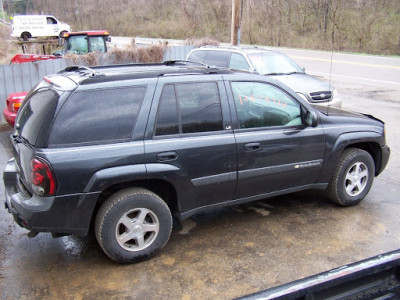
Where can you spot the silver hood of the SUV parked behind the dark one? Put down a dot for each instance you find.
(303, 83)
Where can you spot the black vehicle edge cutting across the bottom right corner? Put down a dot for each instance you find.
(376, 277)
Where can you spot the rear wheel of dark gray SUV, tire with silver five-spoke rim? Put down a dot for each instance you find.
(133, 225)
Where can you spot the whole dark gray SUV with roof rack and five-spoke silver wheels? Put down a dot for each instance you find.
(125, 148)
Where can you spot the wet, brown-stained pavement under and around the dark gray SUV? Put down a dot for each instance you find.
(230, 252)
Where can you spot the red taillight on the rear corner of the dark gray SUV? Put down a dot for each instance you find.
(43, 180)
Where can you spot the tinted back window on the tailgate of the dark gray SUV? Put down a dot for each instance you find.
(36, 115)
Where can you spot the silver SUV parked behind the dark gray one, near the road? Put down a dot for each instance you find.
(271, 63)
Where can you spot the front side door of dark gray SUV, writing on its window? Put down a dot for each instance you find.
(276, 150)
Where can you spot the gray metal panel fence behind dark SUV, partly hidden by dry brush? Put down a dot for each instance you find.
(22, 77)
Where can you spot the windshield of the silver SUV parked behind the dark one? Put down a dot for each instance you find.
(273, 64)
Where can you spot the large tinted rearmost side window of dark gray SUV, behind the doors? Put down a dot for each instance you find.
(97, 116)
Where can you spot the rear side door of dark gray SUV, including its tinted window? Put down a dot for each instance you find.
(191, 141)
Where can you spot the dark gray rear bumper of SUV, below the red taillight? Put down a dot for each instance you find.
(68, 214)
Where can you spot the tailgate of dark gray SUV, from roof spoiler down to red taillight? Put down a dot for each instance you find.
(32, 127)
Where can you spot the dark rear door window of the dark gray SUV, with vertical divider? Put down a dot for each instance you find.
(189, 108)
